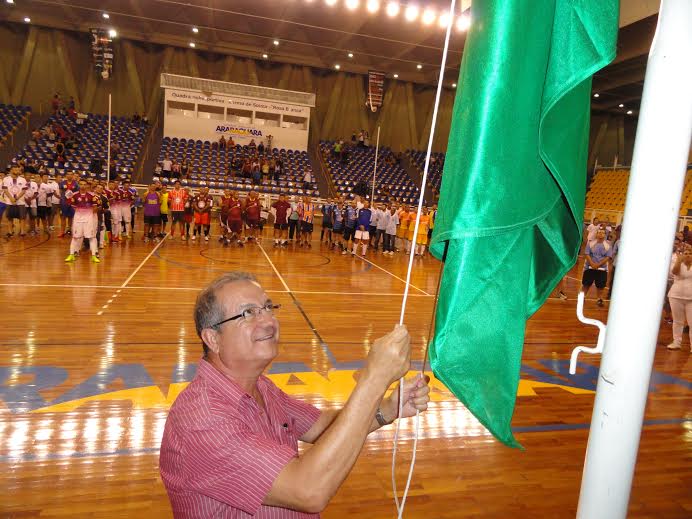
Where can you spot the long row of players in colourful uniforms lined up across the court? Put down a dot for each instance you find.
(104, 213)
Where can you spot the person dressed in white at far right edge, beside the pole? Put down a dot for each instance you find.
(680, 294)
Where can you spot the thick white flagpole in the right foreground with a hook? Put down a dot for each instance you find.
(653, 200)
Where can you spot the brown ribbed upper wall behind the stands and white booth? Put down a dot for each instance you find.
(35, 62)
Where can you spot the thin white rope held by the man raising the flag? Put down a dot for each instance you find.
(400, 507)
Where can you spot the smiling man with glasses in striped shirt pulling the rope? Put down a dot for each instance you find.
(230, 446)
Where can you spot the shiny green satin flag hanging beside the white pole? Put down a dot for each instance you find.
(512, 197)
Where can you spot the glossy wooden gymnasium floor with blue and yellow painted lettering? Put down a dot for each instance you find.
(93, 355)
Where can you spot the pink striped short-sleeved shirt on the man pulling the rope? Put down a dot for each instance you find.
(221, 452)
